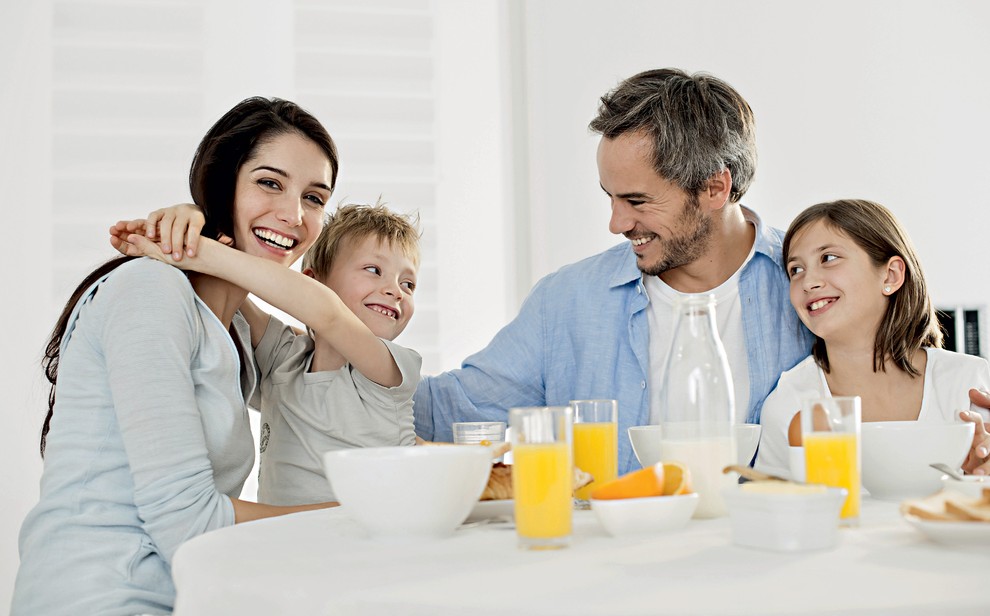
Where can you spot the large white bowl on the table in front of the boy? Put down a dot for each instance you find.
(408, 491)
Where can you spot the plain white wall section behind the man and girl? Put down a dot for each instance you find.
(881, 99)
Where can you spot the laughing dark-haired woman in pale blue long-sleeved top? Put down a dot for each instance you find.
(147, 441)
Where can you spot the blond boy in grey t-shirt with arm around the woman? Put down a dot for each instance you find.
(346, 384)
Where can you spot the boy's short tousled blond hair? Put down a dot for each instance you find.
(357, 221)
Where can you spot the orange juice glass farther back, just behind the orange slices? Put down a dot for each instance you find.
(596, 444)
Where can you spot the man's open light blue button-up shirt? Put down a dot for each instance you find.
(583, 333)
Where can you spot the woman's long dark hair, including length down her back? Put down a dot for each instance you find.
(230, 142)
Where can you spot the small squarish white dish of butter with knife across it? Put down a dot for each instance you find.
(784, 522)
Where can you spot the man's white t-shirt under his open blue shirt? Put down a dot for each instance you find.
(728, 320)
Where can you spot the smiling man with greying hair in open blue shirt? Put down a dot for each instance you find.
(677, 154)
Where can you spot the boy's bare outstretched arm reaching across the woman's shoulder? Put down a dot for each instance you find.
(311, 302)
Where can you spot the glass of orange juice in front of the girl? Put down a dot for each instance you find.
(830, 430)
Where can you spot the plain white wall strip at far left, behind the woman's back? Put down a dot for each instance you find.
(25, 139)
